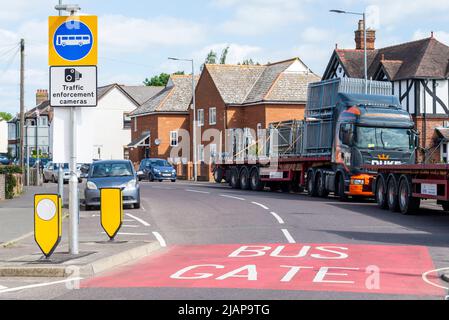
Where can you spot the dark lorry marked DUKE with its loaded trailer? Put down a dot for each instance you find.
(345, 139)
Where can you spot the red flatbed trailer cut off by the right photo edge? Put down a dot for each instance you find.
(400, 188)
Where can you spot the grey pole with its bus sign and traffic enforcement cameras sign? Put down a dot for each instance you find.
(73, 83)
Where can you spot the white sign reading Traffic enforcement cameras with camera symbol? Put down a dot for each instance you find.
(73, 86)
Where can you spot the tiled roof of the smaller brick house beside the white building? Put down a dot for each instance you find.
(175, 97)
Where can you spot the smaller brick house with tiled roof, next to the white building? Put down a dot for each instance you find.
(156, 123)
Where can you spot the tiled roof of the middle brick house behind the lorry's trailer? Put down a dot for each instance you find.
(239, 84)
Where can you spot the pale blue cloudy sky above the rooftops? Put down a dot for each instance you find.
(137, 36)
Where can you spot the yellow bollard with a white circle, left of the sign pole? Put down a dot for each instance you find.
(47, 222)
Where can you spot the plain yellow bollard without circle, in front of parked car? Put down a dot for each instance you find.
(111, 211)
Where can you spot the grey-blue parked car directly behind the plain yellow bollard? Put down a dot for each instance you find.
(112, 174)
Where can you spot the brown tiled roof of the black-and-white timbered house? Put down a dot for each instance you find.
(426, 58)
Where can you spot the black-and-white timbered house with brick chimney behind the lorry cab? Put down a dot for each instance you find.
(419, 72)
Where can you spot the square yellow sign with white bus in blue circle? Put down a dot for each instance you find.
(73, 41)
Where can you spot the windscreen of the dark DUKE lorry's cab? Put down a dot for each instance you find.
(383, 138)
